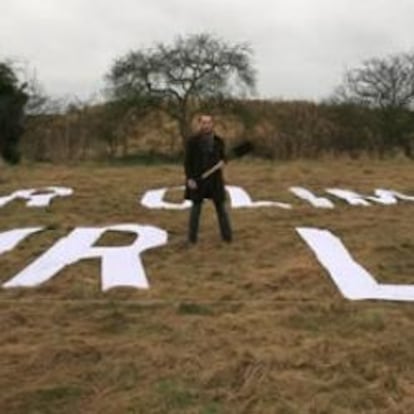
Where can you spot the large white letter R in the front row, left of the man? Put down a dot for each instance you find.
(121, 266)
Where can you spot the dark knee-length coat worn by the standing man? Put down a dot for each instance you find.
(197, 162)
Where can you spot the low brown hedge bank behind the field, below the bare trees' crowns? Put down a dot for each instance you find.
(279, 130)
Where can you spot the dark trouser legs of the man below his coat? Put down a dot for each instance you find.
(222, 216)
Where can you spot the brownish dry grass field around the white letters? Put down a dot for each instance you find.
(253, 327)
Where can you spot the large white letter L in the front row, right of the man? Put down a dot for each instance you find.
(353, 281)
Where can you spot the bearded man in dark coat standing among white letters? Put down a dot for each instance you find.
(204, 151)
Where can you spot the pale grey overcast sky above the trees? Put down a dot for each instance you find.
(302, 47)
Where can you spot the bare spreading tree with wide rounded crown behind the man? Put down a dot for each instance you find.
(183, 77)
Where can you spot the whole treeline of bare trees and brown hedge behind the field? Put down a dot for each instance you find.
(154, 95)
